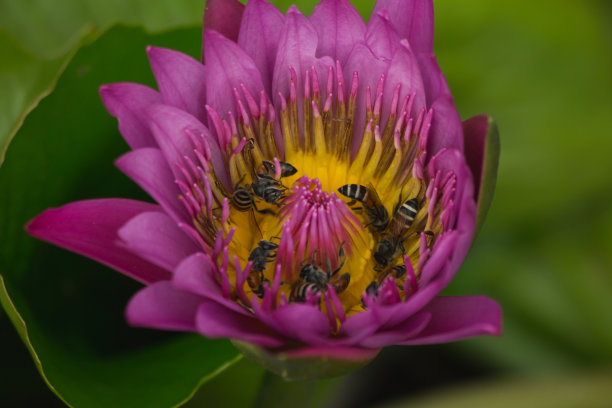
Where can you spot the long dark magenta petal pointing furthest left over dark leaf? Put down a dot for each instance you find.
(90, 229)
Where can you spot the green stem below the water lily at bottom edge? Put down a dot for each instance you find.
(277, 392)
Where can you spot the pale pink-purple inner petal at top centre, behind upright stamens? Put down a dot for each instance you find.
(297, 49)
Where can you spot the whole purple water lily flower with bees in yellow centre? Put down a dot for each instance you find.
(315, 187)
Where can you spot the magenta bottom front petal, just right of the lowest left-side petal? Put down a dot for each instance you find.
(216, 321)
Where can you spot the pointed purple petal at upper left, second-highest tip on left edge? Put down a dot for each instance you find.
(181, 80)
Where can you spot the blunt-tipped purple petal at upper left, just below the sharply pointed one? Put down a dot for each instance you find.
(126, 101)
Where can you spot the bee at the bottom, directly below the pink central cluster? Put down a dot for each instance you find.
(314, 278)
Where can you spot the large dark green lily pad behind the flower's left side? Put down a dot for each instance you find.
(68, 309)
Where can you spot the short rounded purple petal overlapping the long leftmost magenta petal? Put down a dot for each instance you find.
(155, 237)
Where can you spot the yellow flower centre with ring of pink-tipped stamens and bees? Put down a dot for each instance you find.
(324, 206)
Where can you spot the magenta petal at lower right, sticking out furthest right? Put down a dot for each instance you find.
(458, 317)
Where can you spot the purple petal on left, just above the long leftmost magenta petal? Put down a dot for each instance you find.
(149, 169)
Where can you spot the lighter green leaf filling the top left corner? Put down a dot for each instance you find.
(38, 38)
